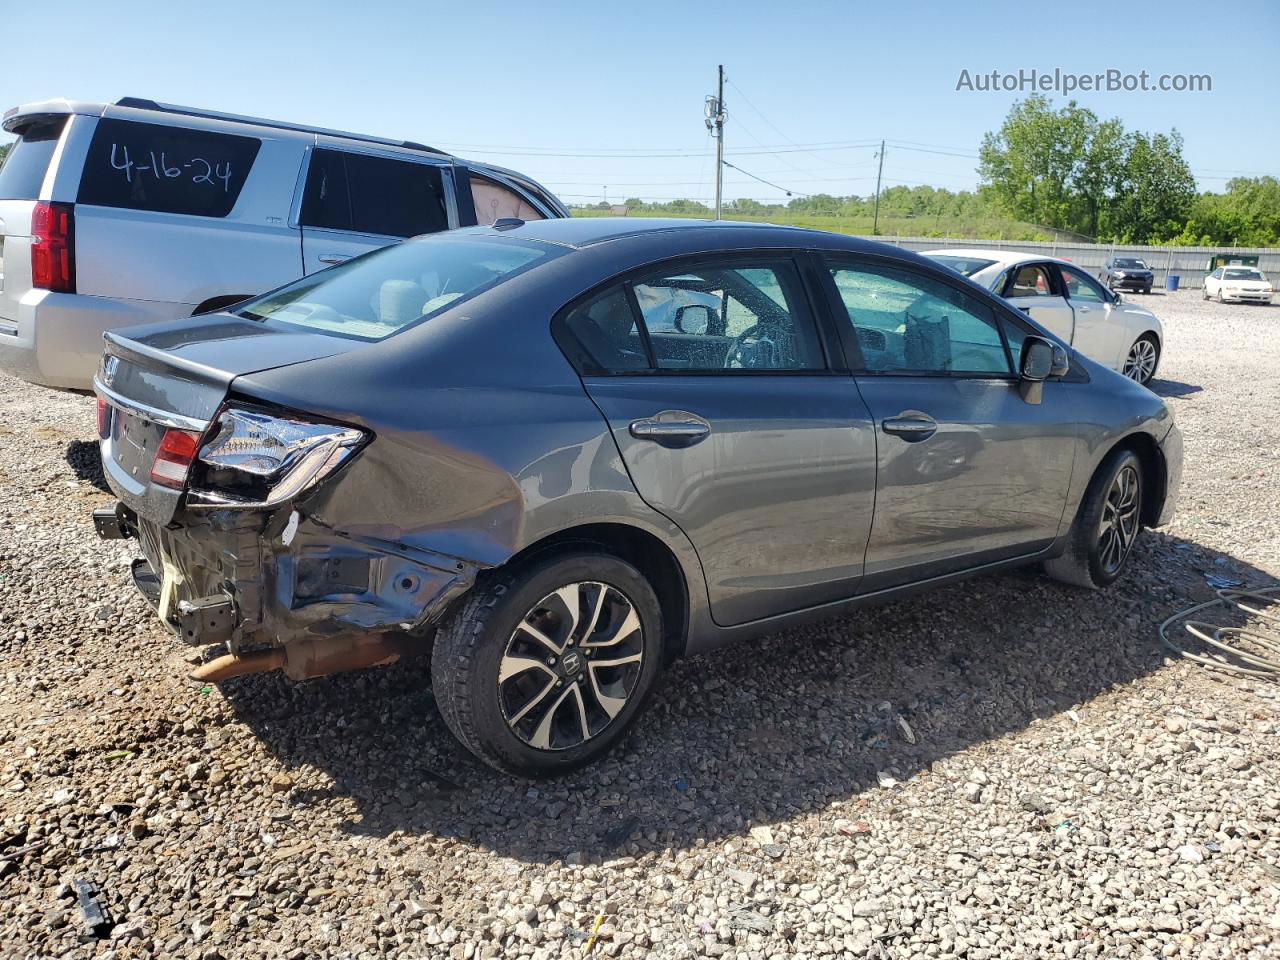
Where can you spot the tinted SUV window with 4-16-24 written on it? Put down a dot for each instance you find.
(166, 170)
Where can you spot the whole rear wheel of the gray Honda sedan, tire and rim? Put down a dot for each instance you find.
(545, 666)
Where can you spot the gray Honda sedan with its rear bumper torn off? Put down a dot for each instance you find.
(560, 455)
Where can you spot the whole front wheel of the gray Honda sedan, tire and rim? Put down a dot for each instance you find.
(1107, 527)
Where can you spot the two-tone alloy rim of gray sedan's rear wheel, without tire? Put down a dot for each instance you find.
(570, 666)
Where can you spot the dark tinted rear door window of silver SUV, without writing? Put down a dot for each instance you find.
(378, 195)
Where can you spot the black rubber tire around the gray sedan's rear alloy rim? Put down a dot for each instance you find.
(474, 642)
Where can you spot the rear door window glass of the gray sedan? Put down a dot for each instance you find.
(729, 318)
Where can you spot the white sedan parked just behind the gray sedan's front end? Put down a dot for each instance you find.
(1069, 304)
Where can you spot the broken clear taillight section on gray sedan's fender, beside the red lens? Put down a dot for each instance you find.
(258, 460)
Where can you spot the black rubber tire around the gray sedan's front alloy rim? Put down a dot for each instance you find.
(1084, 563)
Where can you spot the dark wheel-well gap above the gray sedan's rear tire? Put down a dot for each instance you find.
(648, 555)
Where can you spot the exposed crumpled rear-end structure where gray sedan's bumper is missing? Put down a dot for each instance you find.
(268, 580)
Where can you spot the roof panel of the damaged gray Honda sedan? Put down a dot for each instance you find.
(591, 231)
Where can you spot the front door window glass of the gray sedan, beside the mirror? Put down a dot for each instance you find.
(909, 323)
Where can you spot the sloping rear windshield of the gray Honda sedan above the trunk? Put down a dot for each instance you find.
(383, 292)
